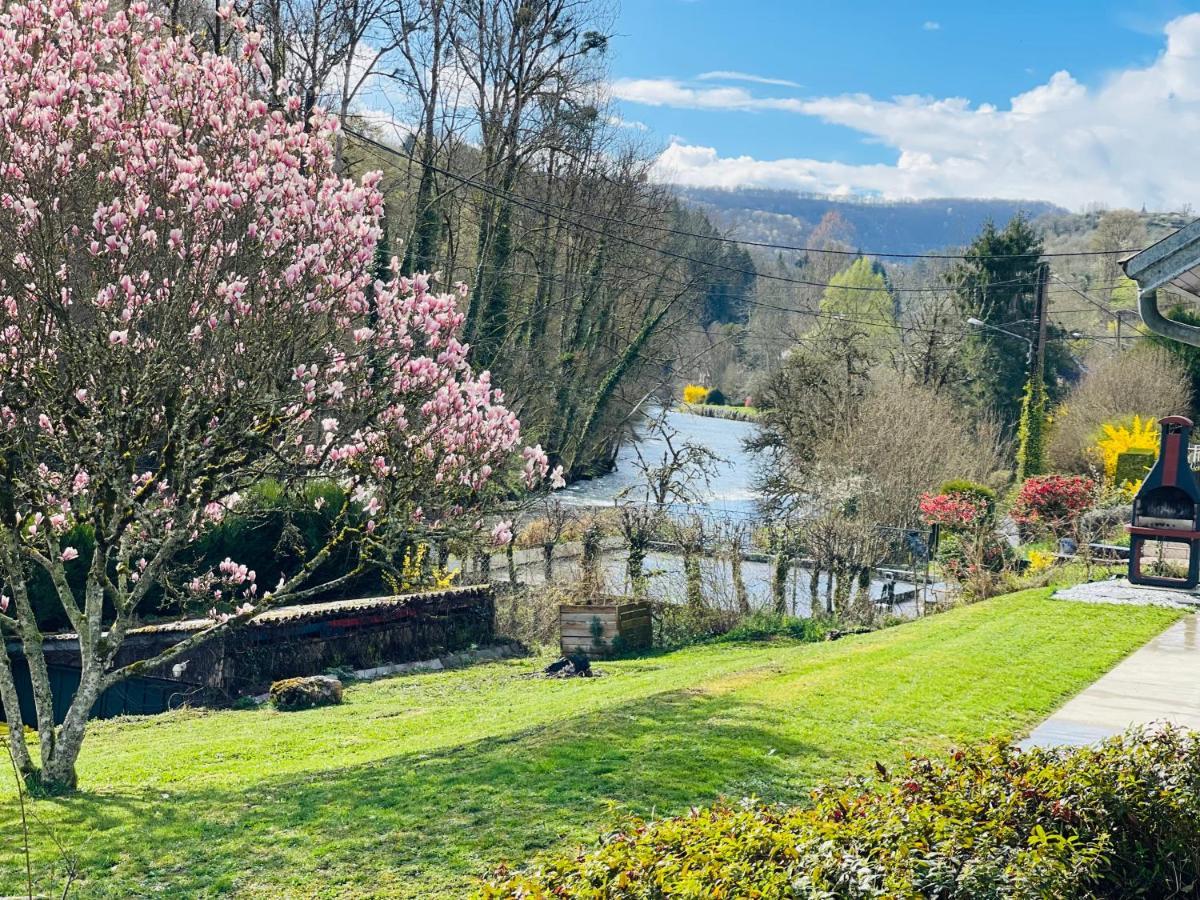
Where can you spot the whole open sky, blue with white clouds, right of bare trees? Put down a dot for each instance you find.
(1100, 81)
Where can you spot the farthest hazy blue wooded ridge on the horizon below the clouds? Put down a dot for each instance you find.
(887, 227)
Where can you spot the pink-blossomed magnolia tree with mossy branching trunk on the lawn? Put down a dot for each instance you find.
(188, 309)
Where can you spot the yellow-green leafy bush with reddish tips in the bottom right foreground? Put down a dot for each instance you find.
(1123, 820)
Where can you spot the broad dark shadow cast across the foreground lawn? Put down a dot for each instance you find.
(421, 825)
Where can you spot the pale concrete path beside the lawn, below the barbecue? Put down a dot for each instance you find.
(1160, 682)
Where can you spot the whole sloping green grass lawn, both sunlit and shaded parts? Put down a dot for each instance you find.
(418, 783)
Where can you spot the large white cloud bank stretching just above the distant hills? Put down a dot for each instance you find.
(1129, 141)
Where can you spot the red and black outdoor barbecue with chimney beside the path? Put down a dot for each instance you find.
(1165, 536)
